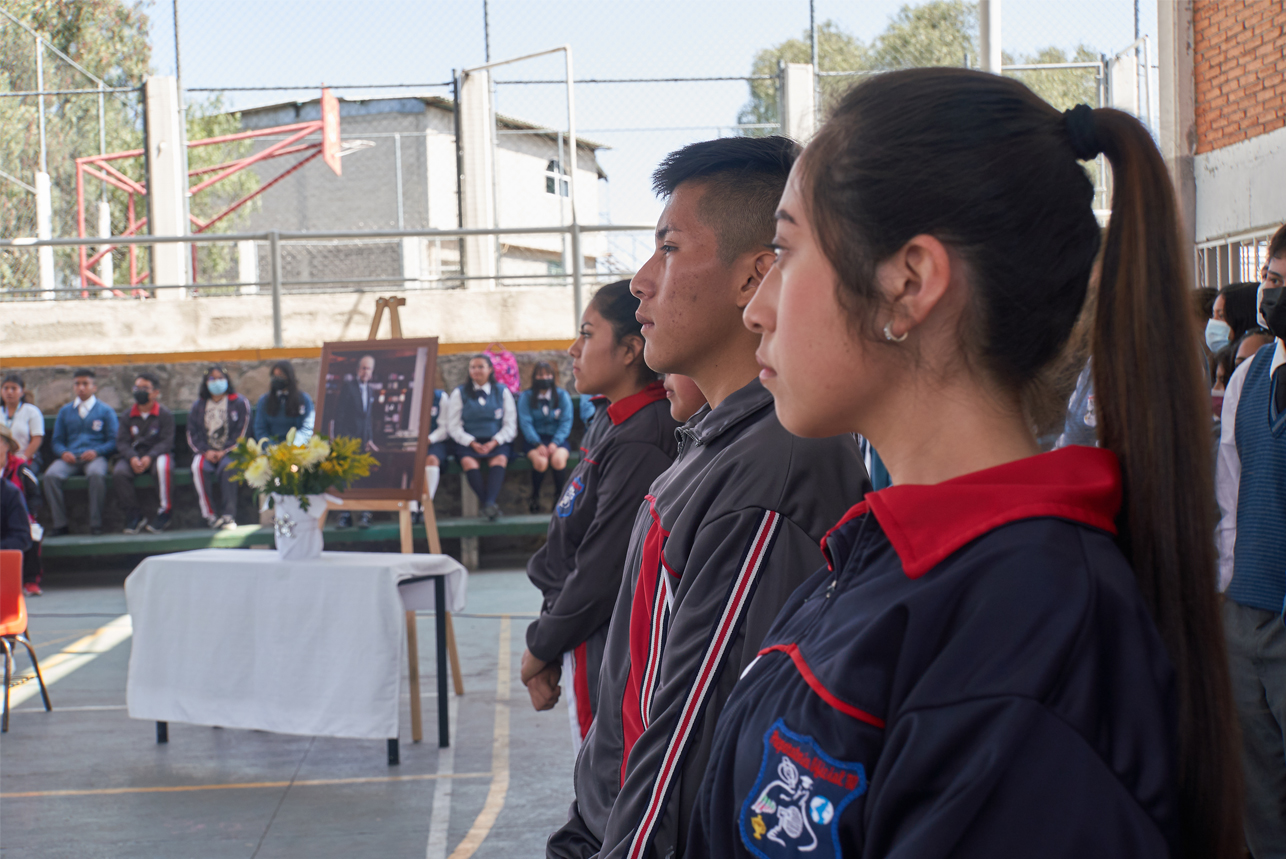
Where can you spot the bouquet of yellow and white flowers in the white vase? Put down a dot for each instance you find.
(300, 471)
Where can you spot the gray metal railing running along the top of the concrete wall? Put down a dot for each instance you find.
(276, 240)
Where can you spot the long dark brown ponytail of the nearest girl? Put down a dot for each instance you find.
(1154, 415)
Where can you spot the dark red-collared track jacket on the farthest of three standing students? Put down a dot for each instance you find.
(579, 568)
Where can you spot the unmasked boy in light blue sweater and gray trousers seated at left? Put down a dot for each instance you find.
(84, 438)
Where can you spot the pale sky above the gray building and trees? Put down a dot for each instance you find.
(305, 44)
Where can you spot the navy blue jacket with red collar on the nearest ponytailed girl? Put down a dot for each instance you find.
(977, 677)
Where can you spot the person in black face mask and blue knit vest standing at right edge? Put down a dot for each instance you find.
(1251, 485)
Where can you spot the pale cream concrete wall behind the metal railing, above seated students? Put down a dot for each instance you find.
(41, 329)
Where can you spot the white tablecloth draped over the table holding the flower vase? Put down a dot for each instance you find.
(241, 640)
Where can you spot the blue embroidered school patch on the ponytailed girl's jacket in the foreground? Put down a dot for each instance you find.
(795, 806)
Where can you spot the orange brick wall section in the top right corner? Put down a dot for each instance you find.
(1239, 70)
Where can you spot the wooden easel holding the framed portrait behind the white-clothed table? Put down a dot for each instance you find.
(435, 546)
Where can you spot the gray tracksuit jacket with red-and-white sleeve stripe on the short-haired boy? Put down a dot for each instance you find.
(721, 543)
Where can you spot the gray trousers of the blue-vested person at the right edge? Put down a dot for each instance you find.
(1257, 654)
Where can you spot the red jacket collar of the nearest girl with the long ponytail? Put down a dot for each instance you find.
(927, 524)
